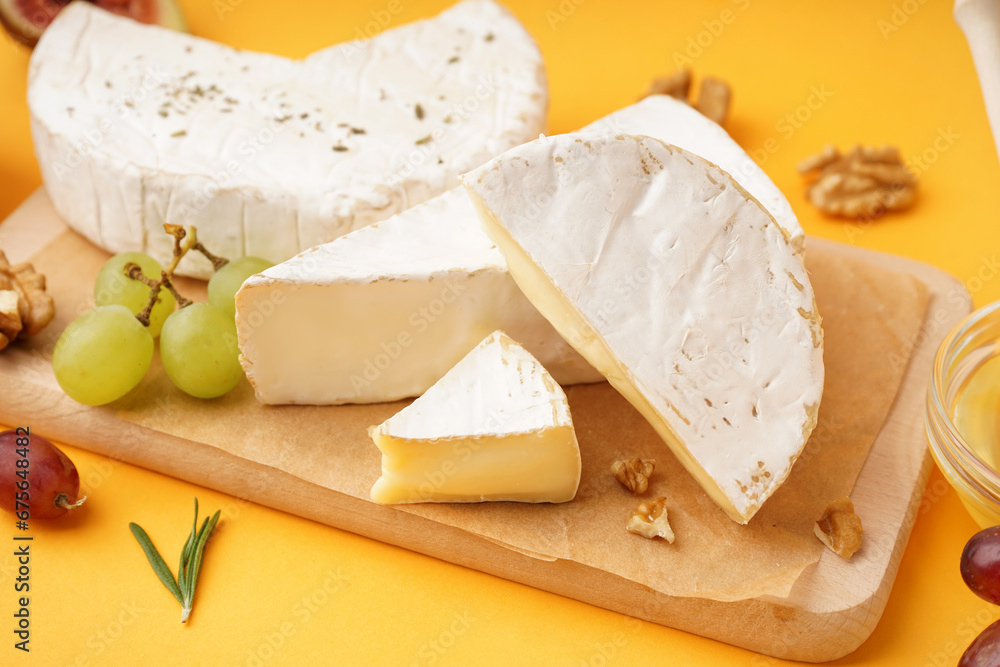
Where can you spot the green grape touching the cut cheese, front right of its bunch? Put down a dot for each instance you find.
(199, 351)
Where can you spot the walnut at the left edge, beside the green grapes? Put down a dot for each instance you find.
(33, 308)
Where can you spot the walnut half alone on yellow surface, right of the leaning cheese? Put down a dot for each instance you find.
(864, 183)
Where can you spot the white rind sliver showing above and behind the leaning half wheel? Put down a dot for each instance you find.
(674, 122)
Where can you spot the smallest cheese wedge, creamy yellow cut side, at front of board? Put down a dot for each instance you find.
(495, 427)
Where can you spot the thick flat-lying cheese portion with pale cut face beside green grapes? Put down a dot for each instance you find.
(384, 312)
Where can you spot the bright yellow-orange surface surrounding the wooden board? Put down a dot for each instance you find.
(277, 589)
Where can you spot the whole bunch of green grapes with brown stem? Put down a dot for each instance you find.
(105, 353)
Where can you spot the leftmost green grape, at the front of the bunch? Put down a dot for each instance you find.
(102, 355)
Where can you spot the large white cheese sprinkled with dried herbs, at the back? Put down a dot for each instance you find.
(136, 126)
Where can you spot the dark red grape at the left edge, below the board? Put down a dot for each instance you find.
(35, 472)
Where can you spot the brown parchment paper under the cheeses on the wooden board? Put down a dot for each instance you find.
(871, 319)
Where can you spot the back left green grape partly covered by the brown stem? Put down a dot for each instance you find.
(113, 286)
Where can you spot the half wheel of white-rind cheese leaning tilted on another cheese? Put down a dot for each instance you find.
(676, 284)
